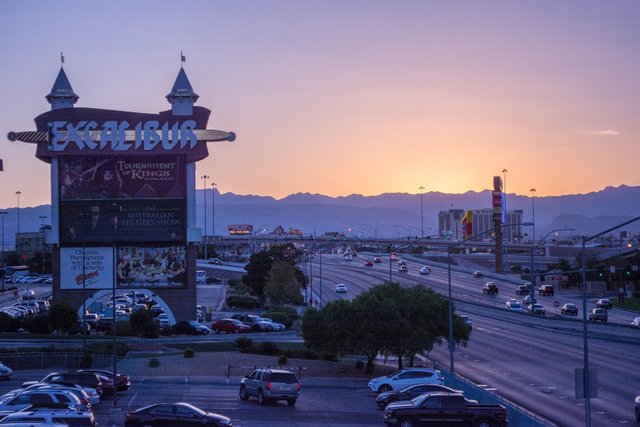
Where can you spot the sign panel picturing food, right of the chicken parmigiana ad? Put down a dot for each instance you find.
(151, 267)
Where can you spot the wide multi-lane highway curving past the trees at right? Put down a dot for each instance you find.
(527, 359)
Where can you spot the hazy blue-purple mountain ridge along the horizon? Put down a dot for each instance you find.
(389, 214)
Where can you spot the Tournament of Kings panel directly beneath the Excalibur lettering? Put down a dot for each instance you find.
(130, 177)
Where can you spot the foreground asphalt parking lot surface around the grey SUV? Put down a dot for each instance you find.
(322, 402)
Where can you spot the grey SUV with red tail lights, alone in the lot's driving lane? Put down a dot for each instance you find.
(270, 384)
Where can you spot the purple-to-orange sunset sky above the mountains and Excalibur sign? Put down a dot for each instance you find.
(342, 97)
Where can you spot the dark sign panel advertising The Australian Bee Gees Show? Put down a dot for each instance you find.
(138, 220)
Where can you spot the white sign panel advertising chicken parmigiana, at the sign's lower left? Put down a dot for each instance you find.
(88, 268)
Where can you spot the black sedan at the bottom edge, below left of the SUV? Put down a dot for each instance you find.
(178, 413)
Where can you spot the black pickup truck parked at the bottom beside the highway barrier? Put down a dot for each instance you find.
(444, 408)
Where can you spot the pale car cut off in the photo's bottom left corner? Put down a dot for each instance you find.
(50, 415)
